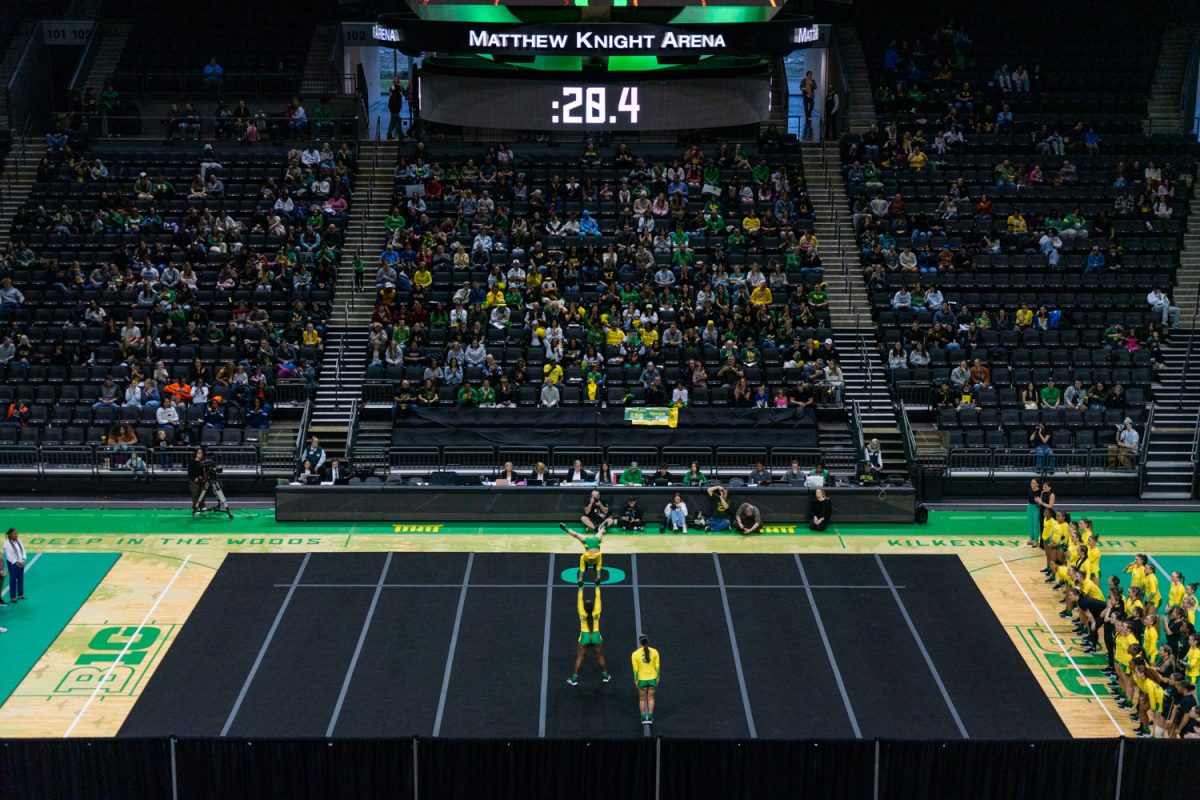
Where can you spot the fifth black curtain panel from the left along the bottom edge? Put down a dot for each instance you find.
(976, 771)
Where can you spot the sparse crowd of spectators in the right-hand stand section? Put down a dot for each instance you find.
(1034, 252)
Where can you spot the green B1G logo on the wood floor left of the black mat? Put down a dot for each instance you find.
(130, 649)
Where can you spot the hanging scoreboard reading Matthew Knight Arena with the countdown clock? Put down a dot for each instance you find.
(646, 67)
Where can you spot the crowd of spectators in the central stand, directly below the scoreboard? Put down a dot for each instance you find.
(616, 278)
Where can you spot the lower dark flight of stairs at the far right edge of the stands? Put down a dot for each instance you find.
(1169, 467)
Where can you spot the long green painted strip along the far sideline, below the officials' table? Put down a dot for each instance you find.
(178, 522)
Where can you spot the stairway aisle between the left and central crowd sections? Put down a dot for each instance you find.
(349, 332)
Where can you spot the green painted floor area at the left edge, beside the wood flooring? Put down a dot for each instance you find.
(59, 585)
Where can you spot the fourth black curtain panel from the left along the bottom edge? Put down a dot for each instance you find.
(759, 769)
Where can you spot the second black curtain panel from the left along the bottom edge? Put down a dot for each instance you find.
(296, 769)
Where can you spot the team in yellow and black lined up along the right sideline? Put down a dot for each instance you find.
(1154, 664)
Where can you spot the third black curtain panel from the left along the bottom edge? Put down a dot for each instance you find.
(537, 769)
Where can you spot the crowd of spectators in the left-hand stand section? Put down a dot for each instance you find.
(167, 292)
